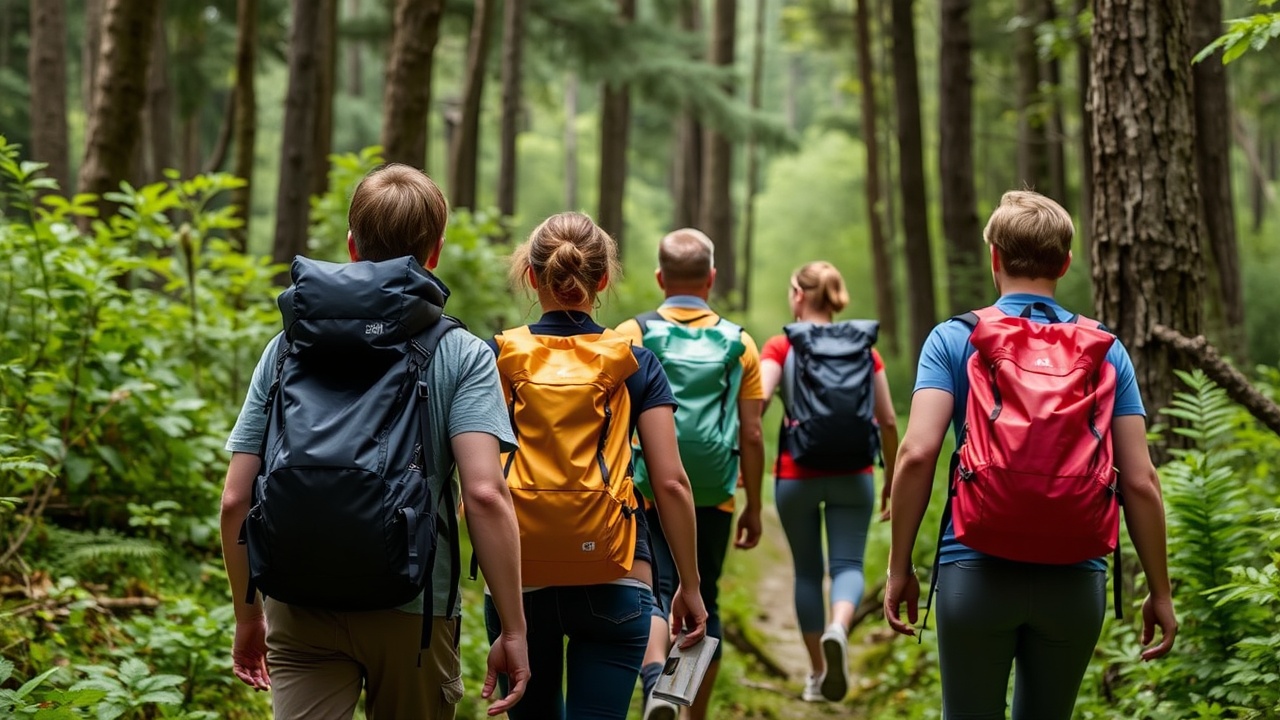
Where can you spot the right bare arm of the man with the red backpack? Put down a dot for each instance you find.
(1145, 518)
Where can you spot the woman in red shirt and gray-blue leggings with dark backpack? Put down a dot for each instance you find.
(839, 414)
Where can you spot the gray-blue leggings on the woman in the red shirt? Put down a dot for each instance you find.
(847, 502)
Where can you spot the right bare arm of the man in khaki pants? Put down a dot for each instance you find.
(492, 525)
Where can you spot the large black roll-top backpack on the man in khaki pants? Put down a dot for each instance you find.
(342, 516)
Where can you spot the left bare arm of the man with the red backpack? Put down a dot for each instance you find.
(913, 484)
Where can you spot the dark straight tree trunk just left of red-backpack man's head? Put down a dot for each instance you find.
(968, 281)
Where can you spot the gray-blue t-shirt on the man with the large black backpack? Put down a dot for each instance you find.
(465, 399)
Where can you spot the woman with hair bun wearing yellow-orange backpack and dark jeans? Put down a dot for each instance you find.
(578, 393)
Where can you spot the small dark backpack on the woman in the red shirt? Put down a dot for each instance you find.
(830, 395)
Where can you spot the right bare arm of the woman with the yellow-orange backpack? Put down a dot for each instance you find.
(675, 500)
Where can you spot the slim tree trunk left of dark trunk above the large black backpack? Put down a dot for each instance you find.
(246, 115)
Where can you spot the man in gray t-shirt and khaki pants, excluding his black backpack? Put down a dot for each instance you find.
(318, 662)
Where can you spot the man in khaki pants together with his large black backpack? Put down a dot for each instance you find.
(310, 645)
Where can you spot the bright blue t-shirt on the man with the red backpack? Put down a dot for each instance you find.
(944, 366)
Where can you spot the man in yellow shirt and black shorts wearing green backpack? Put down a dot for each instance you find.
(715, 370)
